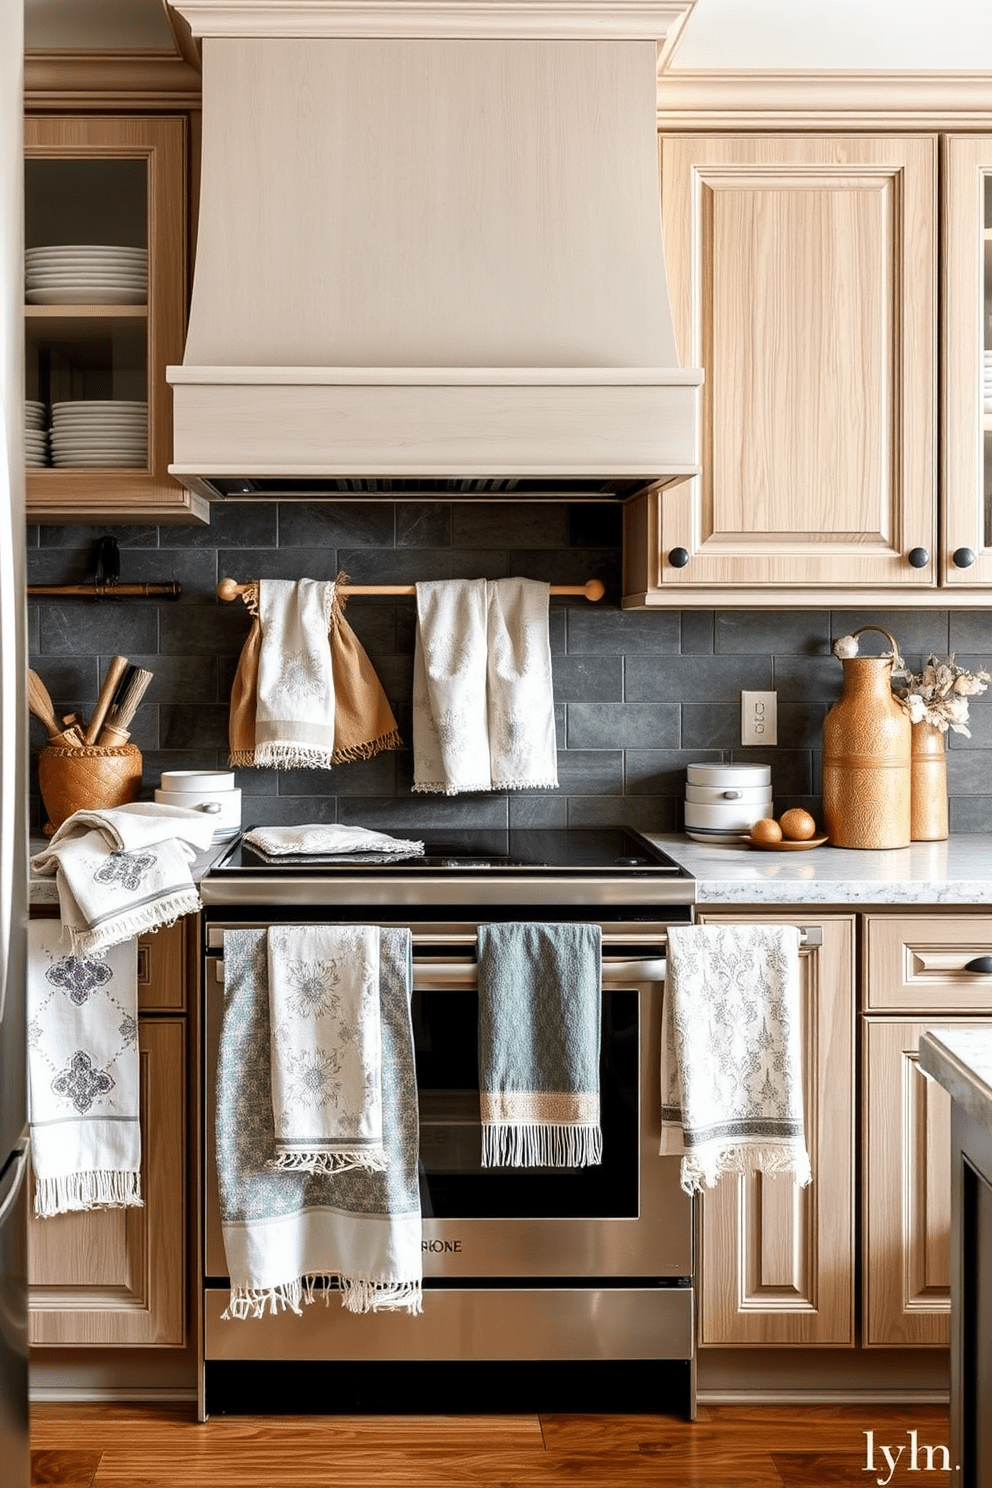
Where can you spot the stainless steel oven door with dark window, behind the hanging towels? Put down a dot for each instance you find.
(622, 1219)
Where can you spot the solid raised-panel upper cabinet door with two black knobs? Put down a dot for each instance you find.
(804, 282)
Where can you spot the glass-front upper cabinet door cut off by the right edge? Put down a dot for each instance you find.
(967, 361)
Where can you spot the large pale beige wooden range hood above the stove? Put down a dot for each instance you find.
(429, 257)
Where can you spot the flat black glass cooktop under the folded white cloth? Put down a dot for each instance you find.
(584, 850)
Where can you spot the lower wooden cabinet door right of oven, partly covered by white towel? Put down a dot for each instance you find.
(777, 1261)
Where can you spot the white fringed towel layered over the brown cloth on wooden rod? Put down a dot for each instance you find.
(295, 705)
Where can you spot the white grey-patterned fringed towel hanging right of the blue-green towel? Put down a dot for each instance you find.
(732, 1069)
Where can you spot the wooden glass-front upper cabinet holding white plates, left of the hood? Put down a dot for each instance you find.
(105, 312)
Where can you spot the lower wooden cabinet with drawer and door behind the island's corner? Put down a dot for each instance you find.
(921, 972)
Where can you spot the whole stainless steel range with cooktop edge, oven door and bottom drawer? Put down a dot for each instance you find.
(590, 1270)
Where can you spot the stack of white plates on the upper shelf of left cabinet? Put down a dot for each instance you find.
(86, 275)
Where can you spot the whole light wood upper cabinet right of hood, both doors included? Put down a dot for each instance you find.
(804, 273)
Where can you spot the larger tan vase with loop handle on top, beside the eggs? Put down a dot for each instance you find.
(866, 760)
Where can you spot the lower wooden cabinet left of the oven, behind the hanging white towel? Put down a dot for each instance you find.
(120, 1277)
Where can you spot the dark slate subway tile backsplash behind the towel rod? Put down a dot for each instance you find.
(639, 696)
